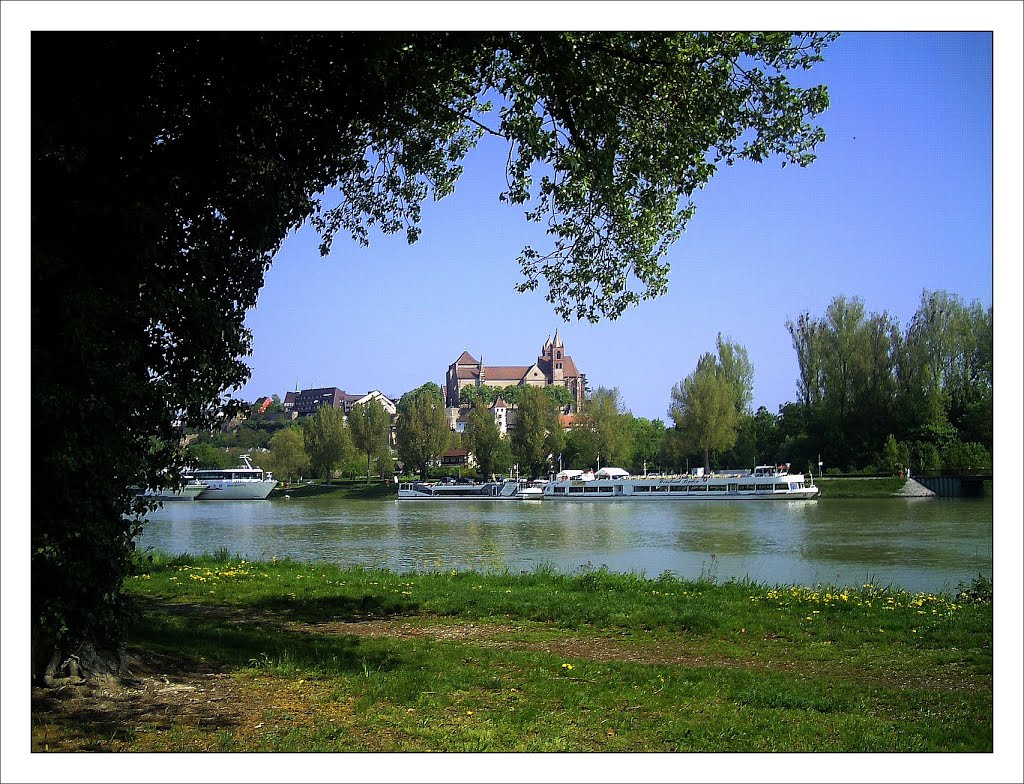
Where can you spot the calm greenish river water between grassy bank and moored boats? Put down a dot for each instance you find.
(920, 545)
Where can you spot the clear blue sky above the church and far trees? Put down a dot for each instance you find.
(900, 201)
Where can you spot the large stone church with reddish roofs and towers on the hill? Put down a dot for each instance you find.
(553, 367)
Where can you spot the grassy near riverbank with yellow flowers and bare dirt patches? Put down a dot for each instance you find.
(284, 657)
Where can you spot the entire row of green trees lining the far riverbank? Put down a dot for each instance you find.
(870, 398)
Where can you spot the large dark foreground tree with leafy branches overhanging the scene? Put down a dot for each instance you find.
(169, 167)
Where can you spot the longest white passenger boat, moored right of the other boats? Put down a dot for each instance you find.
(763, 484)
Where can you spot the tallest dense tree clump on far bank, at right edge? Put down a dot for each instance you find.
(864, 379)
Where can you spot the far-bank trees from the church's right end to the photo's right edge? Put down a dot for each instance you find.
(871, 398)
